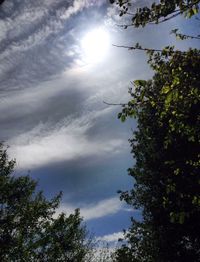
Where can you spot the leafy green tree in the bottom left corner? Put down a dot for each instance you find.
(29, 228)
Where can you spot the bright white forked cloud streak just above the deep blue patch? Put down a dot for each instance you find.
(65, 141)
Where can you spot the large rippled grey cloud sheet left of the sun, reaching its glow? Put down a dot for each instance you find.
(35, 39)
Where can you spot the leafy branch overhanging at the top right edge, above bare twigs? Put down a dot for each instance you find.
(158, 11)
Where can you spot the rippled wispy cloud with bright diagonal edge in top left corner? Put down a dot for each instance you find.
(31, 23)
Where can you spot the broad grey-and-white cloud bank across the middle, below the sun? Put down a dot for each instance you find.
(44, 124)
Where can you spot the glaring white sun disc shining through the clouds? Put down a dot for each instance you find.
(95, 45)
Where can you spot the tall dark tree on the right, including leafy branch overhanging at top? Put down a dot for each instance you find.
(166, 147)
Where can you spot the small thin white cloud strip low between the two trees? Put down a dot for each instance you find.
(100, 209)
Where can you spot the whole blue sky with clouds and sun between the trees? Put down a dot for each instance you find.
(57, 66)
